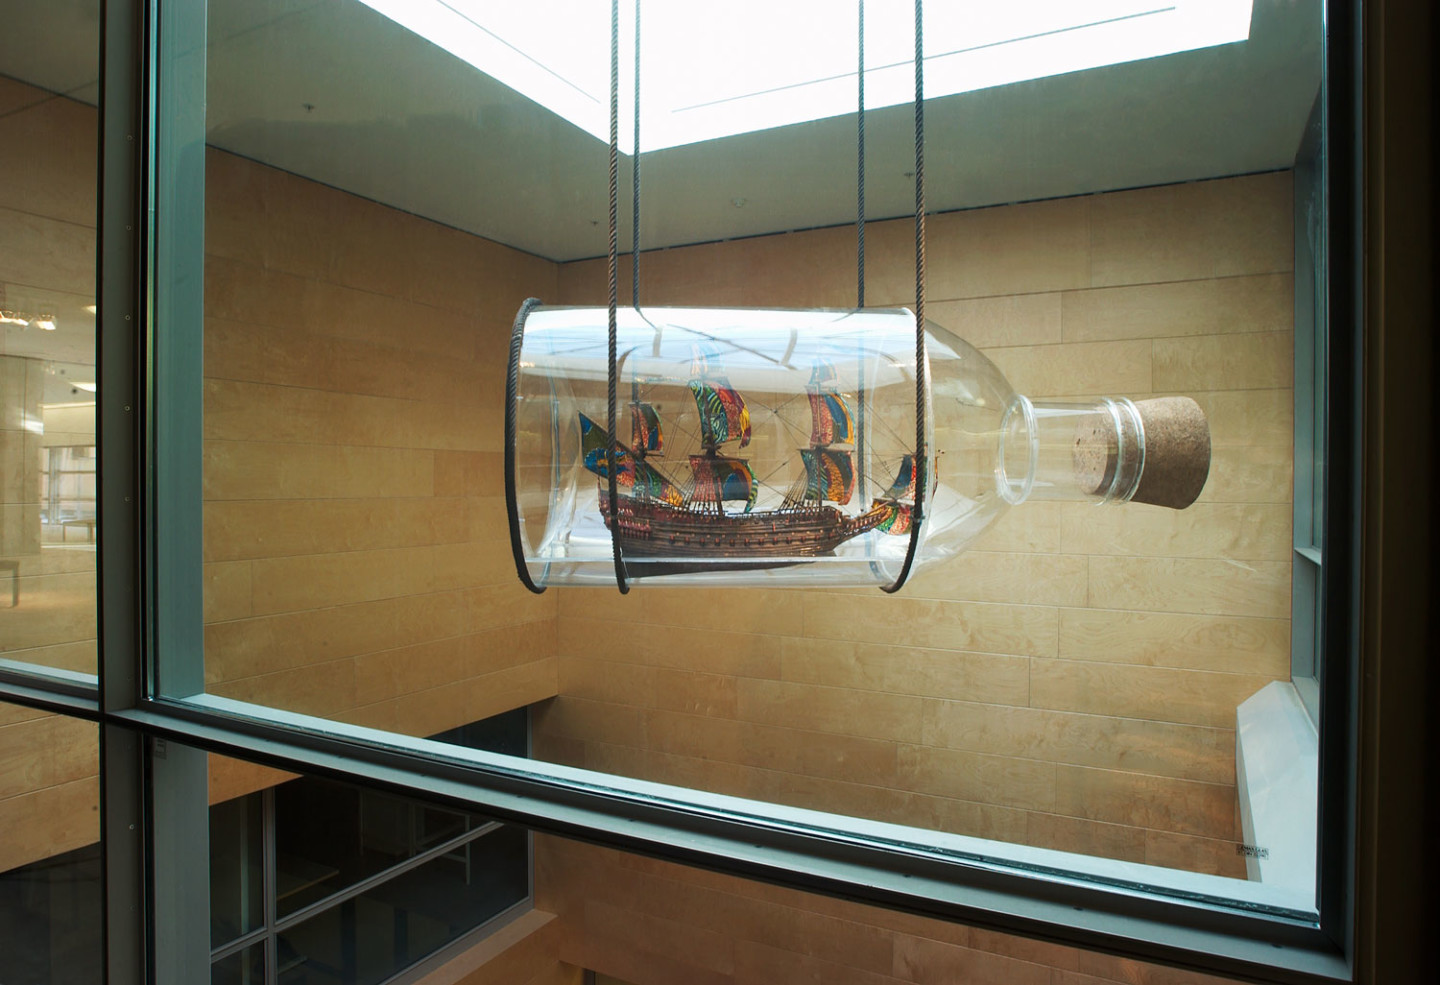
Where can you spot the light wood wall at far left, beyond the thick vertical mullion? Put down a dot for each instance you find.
(50, 791)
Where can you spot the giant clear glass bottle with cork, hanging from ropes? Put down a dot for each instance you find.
(778, 447)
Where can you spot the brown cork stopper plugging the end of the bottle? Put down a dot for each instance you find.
(1176, 460)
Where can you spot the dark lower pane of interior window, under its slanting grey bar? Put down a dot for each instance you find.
(384, 931)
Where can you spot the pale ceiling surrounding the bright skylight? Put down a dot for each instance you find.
(341, 94)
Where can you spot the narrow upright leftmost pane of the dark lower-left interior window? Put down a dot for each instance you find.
(237, 869)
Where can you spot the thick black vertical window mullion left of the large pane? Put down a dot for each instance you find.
(120, 413)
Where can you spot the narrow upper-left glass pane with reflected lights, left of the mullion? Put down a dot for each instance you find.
(50, 71)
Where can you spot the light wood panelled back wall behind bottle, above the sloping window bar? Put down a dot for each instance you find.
(1072, 682)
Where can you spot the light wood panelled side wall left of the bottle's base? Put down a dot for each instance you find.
(354, 499)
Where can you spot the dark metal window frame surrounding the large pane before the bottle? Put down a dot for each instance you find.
(149, 611)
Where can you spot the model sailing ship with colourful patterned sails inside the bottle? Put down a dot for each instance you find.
(659, 518)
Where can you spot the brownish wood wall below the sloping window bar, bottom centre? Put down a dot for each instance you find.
(646, 922)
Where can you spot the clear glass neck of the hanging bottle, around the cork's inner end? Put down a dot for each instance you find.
(1071, 451)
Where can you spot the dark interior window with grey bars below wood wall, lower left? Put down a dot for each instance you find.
(329, 872)
